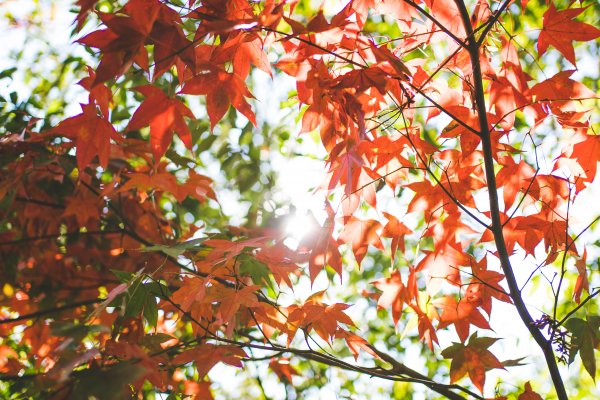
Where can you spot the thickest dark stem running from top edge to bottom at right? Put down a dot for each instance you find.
(503, 255)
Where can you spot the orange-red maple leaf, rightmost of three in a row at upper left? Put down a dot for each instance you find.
(221, 89)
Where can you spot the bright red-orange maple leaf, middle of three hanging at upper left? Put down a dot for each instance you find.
(165, 116)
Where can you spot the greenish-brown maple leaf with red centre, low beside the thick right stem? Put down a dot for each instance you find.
(473, 359)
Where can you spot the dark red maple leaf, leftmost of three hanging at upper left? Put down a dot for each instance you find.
(91, 134)
